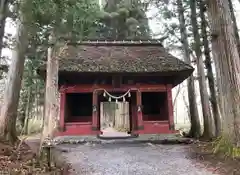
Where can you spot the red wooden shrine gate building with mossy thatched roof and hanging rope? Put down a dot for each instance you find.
(141, 73)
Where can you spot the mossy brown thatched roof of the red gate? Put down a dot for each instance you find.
(121, 57)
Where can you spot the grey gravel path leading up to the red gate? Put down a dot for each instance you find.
(130, 159)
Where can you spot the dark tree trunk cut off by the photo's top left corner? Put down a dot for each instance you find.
(3, 15)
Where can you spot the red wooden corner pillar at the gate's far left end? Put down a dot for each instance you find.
(62, 109)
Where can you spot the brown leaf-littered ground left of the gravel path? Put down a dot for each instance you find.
(21, 159)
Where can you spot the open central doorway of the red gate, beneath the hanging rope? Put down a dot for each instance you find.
(115, 116)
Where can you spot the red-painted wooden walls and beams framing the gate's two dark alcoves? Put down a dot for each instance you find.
(143, 127)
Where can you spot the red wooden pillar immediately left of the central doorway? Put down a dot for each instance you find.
(95, 107)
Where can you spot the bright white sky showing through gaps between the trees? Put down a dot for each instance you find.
(156, 26)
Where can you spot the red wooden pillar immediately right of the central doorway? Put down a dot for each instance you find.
(139, 111)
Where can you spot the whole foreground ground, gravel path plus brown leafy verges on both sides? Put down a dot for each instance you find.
(22, 159)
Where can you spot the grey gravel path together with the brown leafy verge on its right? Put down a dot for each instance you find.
(196, 158)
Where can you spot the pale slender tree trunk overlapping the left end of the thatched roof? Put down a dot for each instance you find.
(51, 97)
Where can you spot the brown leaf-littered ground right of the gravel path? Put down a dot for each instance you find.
(217, 163)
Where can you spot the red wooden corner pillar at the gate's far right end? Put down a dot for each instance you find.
(170, 107)
